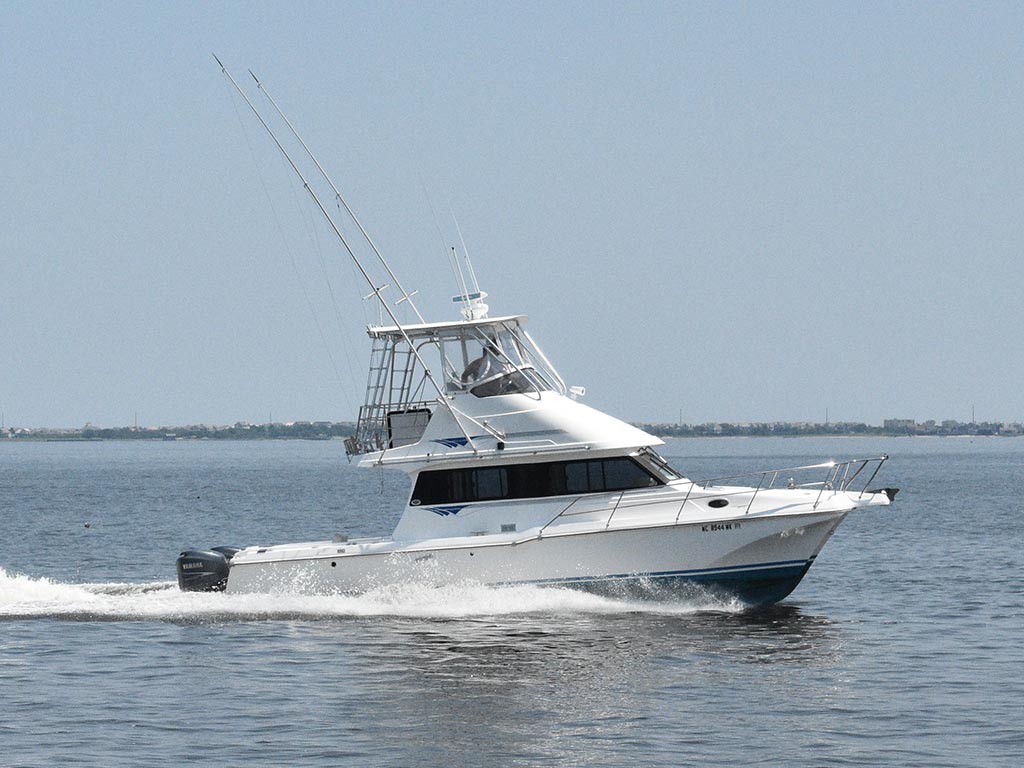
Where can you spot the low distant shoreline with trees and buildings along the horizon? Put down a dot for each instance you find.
(324, 431)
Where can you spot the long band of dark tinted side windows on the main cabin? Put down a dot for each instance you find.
(532, 481)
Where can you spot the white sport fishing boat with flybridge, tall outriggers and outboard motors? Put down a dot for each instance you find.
(514, 481)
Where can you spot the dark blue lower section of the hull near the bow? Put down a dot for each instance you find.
(758, 586)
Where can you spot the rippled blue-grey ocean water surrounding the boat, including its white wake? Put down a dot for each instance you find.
(903, 647)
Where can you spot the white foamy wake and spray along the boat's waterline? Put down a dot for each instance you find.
(23, 596)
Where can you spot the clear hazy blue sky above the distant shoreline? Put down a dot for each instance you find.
(709, 211)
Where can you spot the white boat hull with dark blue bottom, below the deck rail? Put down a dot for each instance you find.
(758, 560)
